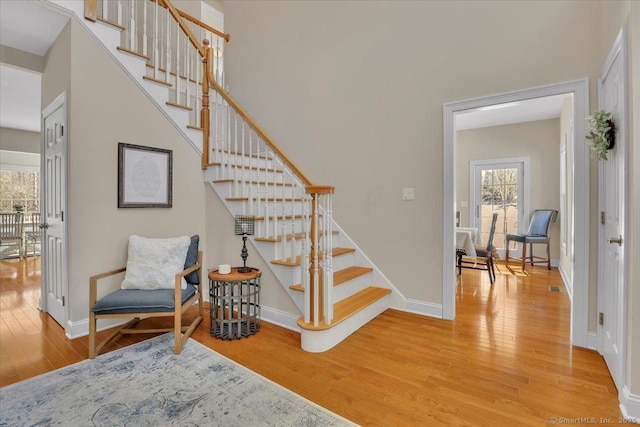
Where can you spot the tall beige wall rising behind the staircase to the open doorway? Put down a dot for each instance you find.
(354, 95)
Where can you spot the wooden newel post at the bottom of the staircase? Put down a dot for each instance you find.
(316, 288)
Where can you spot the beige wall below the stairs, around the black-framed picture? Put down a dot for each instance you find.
(105, 107)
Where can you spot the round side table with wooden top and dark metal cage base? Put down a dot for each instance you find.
(235, 303)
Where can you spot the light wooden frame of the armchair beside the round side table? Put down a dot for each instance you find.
(127, 328)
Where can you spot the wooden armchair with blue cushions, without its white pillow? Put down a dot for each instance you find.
(140, 304)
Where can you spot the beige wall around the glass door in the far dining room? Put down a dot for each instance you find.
(537, 140)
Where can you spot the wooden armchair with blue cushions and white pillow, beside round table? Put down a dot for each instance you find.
(163, 278)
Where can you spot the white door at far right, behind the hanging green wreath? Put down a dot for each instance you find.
(612, 202)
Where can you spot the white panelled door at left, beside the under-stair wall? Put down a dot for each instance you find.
(54, 251)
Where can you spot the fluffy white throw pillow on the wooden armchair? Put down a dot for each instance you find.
(154, 263)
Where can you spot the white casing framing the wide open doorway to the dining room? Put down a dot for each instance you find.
(580, 91)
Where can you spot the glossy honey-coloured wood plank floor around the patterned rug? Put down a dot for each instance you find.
(504, 361)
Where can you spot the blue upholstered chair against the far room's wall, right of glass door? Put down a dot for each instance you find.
(539, 233)
